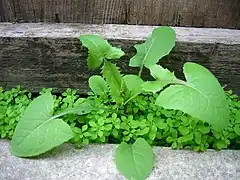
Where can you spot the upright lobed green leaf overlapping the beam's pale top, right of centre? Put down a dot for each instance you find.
(158, 45)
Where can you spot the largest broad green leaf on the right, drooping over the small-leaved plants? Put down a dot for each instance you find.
(201, 96)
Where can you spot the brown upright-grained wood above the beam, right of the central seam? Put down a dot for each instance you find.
(195, 13)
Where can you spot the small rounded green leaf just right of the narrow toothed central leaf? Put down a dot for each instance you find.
(133, 85)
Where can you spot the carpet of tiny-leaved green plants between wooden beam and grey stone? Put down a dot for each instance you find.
(140, 118)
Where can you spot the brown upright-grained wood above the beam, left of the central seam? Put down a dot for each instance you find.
(84, 11)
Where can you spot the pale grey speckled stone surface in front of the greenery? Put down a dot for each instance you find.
(96, 162)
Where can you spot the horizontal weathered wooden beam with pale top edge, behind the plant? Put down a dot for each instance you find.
(50, 55)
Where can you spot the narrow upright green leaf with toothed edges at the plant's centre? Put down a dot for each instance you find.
(114, 79)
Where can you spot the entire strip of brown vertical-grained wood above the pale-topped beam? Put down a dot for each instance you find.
(195, 13)
